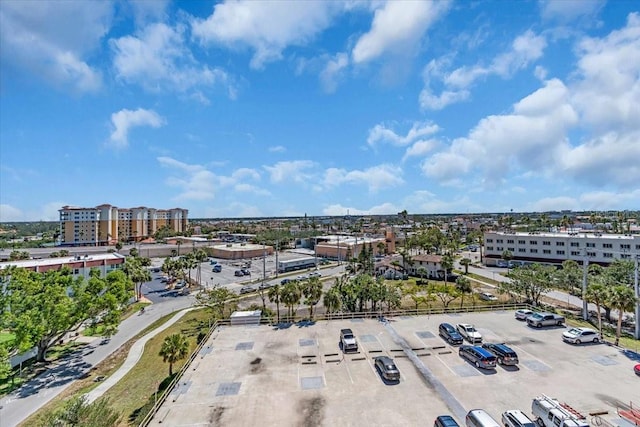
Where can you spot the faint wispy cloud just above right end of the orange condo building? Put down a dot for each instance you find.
(194, 181)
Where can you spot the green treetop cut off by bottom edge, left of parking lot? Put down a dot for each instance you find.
(79, 413)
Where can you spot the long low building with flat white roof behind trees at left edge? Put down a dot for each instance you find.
(79, 265)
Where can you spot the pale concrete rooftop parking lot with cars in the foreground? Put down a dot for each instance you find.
(297, 375)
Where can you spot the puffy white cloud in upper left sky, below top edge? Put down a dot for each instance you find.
(158, 59)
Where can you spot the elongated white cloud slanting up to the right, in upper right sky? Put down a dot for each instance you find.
(524, 50)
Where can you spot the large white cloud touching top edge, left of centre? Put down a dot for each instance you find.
(267, 27)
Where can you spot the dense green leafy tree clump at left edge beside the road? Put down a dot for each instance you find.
(40, 308)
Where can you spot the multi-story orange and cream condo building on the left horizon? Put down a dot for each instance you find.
(107, 224)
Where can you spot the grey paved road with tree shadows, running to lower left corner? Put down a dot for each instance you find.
(39, 391)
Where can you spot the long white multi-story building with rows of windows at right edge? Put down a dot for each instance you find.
(554, 248)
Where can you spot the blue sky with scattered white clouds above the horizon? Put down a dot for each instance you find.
(258, 108)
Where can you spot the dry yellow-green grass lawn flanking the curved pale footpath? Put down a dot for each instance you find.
(136, 389)
